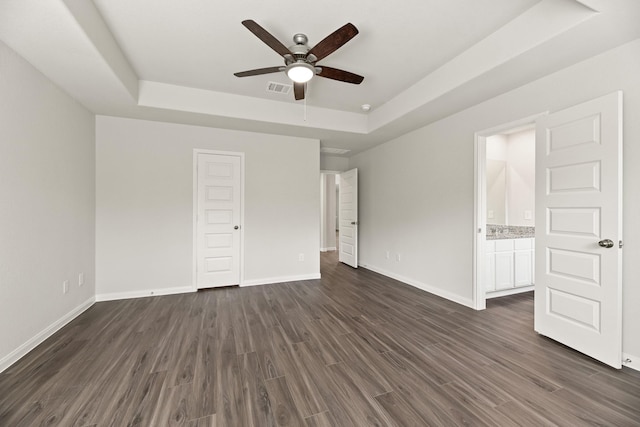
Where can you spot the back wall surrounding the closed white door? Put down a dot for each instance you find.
(144, 217)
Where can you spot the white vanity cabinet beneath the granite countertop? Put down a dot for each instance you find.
(509, 264)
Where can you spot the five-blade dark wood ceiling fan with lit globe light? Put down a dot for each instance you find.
(300, 60)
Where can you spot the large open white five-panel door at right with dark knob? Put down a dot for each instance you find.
(578, 290)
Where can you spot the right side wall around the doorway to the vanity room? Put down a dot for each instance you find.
(416, 191)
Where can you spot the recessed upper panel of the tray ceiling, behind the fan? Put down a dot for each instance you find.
(201, 43)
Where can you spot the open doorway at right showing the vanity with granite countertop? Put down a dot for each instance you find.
(504, 261)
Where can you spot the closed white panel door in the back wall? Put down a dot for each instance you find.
(218, 225)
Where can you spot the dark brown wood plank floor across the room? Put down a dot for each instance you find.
(352, 349)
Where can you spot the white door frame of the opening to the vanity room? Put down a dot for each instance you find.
(480, 203)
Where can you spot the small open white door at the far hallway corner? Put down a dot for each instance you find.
(348, 208)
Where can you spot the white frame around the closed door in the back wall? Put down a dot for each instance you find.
(196, 152)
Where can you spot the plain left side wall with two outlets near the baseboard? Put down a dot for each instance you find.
(47, 192)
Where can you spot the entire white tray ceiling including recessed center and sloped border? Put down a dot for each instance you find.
(422, 59)
